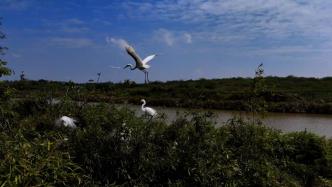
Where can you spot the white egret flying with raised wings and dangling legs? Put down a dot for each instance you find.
(140, 64)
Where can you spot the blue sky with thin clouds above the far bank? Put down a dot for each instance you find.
(66, 39)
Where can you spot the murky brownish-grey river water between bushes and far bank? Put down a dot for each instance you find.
(286, 122)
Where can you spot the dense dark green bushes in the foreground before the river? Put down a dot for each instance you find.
(113, 147)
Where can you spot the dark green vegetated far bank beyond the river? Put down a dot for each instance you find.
(289, 94)
